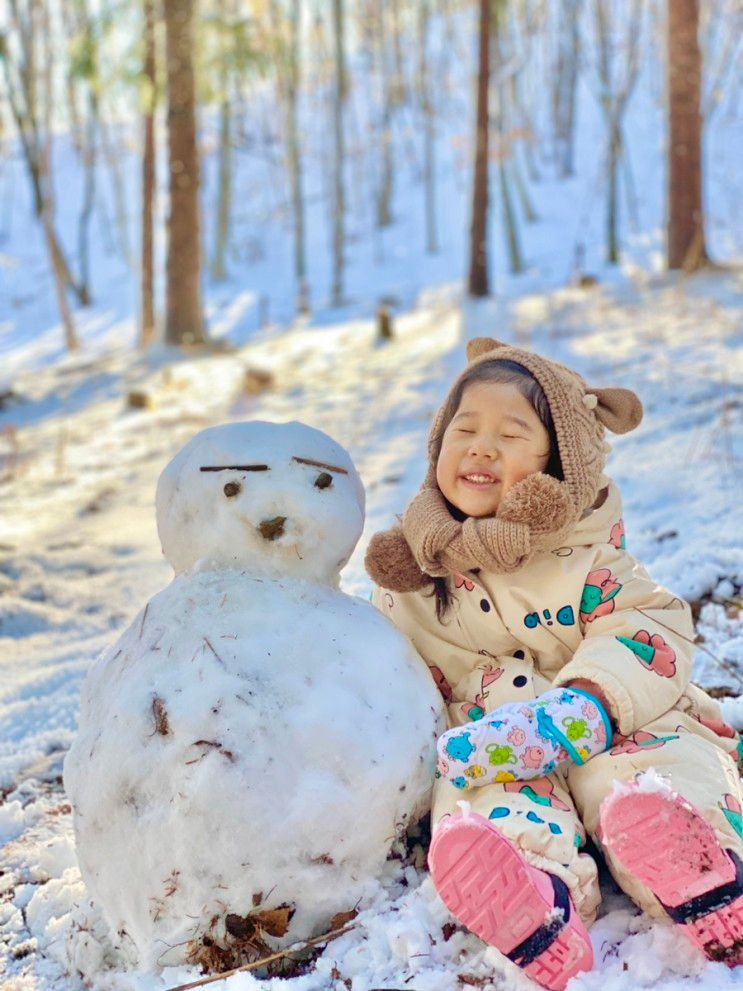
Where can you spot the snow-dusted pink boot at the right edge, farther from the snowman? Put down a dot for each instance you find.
(664, 842)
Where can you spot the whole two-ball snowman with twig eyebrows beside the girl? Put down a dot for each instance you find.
(252, 745)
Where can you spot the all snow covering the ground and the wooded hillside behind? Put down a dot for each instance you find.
(80, 554)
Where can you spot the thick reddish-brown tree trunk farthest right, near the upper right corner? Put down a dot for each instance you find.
(685, 233)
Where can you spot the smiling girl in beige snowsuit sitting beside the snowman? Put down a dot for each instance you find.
(566, 673)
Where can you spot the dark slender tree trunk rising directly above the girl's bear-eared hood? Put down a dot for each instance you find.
(478, 273)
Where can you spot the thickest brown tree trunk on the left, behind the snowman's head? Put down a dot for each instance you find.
(184, 320)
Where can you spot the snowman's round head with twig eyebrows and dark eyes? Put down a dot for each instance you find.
(279, 499)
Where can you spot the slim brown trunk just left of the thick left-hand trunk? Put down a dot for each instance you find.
(149, 180)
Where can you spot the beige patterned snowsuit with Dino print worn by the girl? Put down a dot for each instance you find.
(586, 610)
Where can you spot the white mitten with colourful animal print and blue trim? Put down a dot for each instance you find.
(523, 740)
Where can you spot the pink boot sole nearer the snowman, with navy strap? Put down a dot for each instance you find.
(488, 885)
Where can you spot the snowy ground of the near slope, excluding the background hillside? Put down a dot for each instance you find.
(79, 556)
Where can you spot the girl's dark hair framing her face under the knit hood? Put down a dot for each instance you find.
(507, 373)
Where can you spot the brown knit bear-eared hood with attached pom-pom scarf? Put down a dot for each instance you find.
(535, 514)
